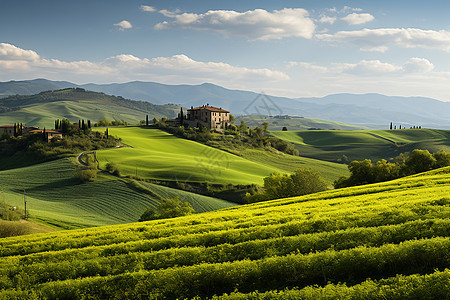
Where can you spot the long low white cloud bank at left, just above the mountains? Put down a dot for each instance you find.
(22, 64)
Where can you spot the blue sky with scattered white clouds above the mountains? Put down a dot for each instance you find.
(282, 48)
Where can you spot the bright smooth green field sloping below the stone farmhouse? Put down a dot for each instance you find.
(159, 155)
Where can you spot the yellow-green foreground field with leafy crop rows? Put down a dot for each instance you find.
(388, 240)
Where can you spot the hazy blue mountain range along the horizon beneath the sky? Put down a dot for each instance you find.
(371, 110)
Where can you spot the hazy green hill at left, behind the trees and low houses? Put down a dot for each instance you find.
(74, 104)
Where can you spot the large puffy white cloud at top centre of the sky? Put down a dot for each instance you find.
(257, 24)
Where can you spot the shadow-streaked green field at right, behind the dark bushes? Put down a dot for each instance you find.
(330, 145)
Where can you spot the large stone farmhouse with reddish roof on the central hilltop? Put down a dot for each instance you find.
(213, 118)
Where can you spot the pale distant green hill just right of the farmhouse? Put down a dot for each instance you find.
(293, 123)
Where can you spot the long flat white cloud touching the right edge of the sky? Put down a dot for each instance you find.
(382, 39)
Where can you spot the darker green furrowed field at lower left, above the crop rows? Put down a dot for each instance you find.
(55, 197)
